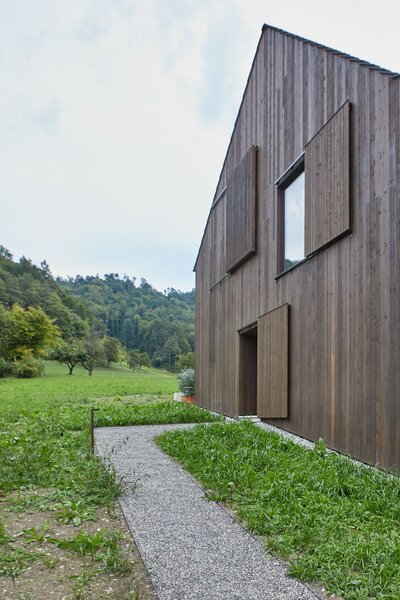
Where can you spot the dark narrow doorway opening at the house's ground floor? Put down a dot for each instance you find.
(248, 372)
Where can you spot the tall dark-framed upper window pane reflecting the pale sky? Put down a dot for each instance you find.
(291, 216)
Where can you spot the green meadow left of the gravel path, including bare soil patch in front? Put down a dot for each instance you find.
(59, 522)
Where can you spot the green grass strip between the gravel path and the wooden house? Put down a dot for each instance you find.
(335, 521)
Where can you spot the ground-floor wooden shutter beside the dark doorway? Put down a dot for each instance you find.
(272, 364)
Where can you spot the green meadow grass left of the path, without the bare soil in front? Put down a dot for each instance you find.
(44, 424)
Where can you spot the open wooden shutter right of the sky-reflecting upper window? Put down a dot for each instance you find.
(327, 186)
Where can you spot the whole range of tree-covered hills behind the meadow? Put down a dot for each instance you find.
(161, 324)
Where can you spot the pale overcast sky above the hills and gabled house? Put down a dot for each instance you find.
(115, 116)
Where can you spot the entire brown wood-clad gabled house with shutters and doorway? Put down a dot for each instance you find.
(298, 272)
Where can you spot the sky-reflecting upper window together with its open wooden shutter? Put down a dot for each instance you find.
(313, 194)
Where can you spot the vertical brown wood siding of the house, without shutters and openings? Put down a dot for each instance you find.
(344, 338)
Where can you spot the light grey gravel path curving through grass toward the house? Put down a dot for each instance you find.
(192, 548)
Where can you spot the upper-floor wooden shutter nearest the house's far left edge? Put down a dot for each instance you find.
(241, 211)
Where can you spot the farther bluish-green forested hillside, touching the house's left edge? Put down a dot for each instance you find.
(161, 324)
